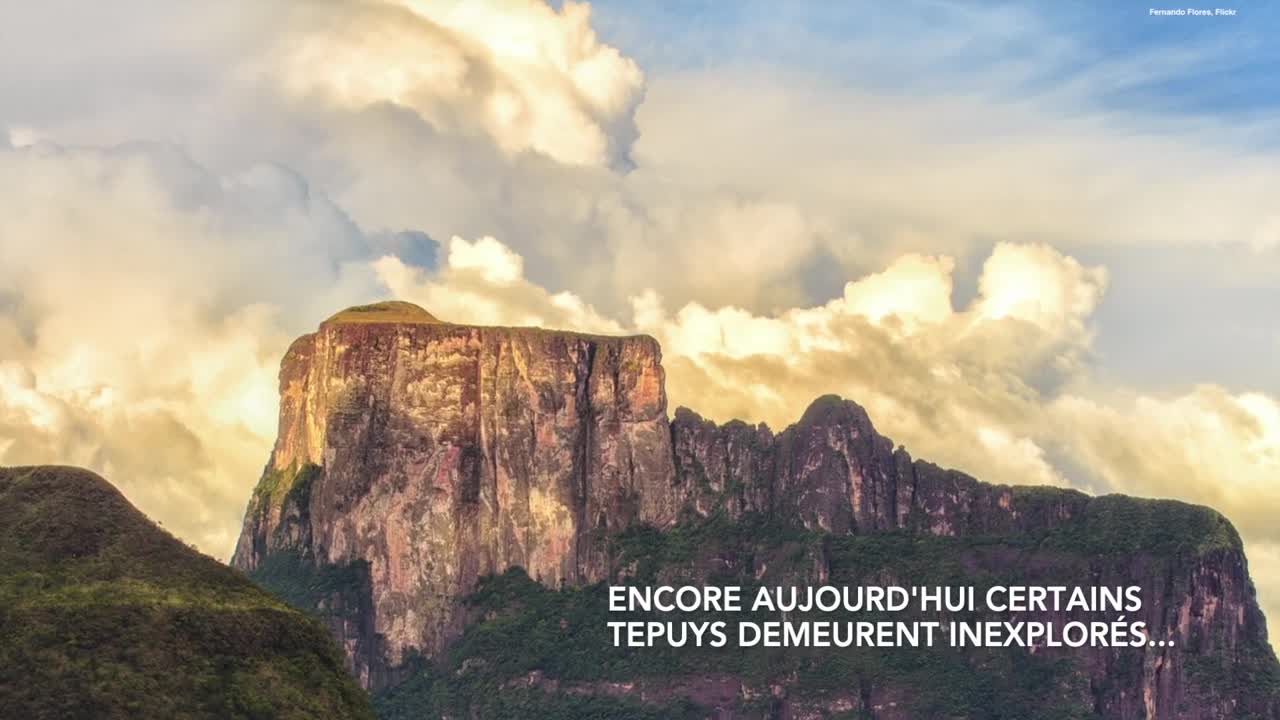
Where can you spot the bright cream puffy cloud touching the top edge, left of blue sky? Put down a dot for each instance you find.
(529, 76)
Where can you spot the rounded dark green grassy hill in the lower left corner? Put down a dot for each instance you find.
(106, 616)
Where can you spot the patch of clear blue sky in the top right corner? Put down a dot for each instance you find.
(1224, 67)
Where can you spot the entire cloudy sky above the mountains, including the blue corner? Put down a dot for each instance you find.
(1039, 243)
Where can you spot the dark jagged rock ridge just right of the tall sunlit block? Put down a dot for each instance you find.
(834, 472)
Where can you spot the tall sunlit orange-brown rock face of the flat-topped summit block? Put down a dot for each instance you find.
(446, 453)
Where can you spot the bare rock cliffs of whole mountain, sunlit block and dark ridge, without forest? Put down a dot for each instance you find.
(417, 457)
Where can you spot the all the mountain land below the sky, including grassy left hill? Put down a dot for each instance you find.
(445, 512)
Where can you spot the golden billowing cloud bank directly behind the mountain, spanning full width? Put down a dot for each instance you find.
(152, 356)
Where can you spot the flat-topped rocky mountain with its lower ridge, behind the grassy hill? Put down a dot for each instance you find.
(415, 459)
